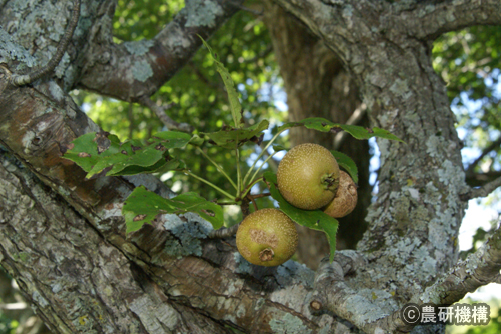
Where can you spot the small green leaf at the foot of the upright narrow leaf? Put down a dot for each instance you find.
(232, 138)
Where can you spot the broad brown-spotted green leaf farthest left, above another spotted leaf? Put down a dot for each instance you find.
(129, 158)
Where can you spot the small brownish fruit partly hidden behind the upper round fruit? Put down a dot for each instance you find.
(346, 197)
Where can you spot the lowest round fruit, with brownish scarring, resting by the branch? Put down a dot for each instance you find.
(267, 238)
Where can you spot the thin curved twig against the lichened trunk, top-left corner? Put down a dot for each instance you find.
(26, 79)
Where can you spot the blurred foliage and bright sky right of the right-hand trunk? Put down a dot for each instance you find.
(469, 62)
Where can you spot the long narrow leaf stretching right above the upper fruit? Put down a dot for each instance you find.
(324, 125)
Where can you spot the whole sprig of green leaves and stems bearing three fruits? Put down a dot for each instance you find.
(308, 178)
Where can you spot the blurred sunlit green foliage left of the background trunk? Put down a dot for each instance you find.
(242, 45)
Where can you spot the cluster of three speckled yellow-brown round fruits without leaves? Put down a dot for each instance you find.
(309, 178)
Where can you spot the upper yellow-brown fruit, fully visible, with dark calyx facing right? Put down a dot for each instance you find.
(308, 176)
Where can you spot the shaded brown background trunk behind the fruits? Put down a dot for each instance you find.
(317, 85)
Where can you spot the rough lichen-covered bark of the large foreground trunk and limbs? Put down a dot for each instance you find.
(64, 239)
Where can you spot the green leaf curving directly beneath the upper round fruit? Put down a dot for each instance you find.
(314, 219)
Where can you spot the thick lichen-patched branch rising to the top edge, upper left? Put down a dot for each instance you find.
(132, 69)
